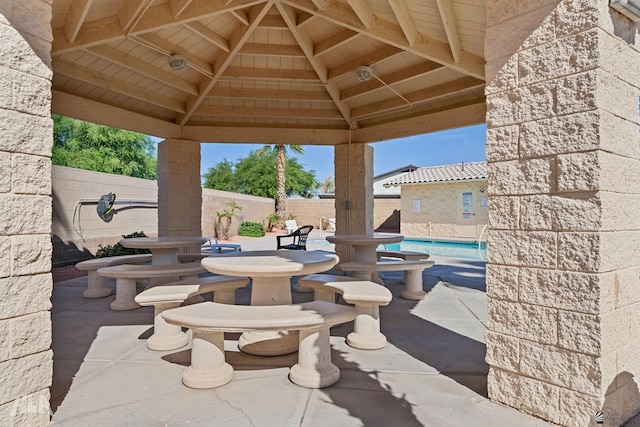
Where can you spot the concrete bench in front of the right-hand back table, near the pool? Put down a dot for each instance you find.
(412, 273)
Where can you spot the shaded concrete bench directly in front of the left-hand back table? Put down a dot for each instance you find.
(127, 275)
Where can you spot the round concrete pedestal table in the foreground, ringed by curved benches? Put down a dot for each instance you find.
(271, 273)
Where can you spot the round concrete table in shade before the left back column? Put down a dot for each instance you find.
(164, 250)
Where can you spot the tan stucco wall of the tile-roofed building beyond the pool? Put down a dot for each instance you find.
(444, 209)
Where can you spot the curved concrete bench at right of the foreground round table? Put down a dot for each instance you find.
(366, 296)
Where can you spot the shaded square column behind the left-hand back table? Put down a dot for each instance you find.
(179, 188)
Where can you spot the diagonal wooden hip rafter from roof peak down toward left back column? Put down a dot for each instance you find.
(223, 61)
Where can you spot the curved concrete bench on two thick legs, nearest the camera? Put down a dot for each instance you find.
(209, 320)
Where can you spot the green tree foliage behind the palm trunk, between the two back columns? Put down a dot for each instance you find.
(256, 175)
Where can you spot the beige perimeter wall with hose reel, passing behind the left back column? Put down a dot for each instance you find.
(79, 236)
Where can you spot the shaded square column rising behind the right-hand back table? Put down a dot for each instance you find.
(354, 192)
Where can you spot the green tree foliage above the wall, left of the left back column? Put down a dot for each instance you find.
(88, 146)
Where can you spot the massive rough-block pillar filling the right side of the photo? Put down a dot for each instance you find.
(563, 339)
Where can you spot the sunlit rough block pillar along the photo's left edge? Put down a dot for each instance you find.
(26, 139)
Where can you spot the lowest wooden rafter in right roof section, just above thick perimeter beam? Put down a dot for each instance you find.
(394, 102)
